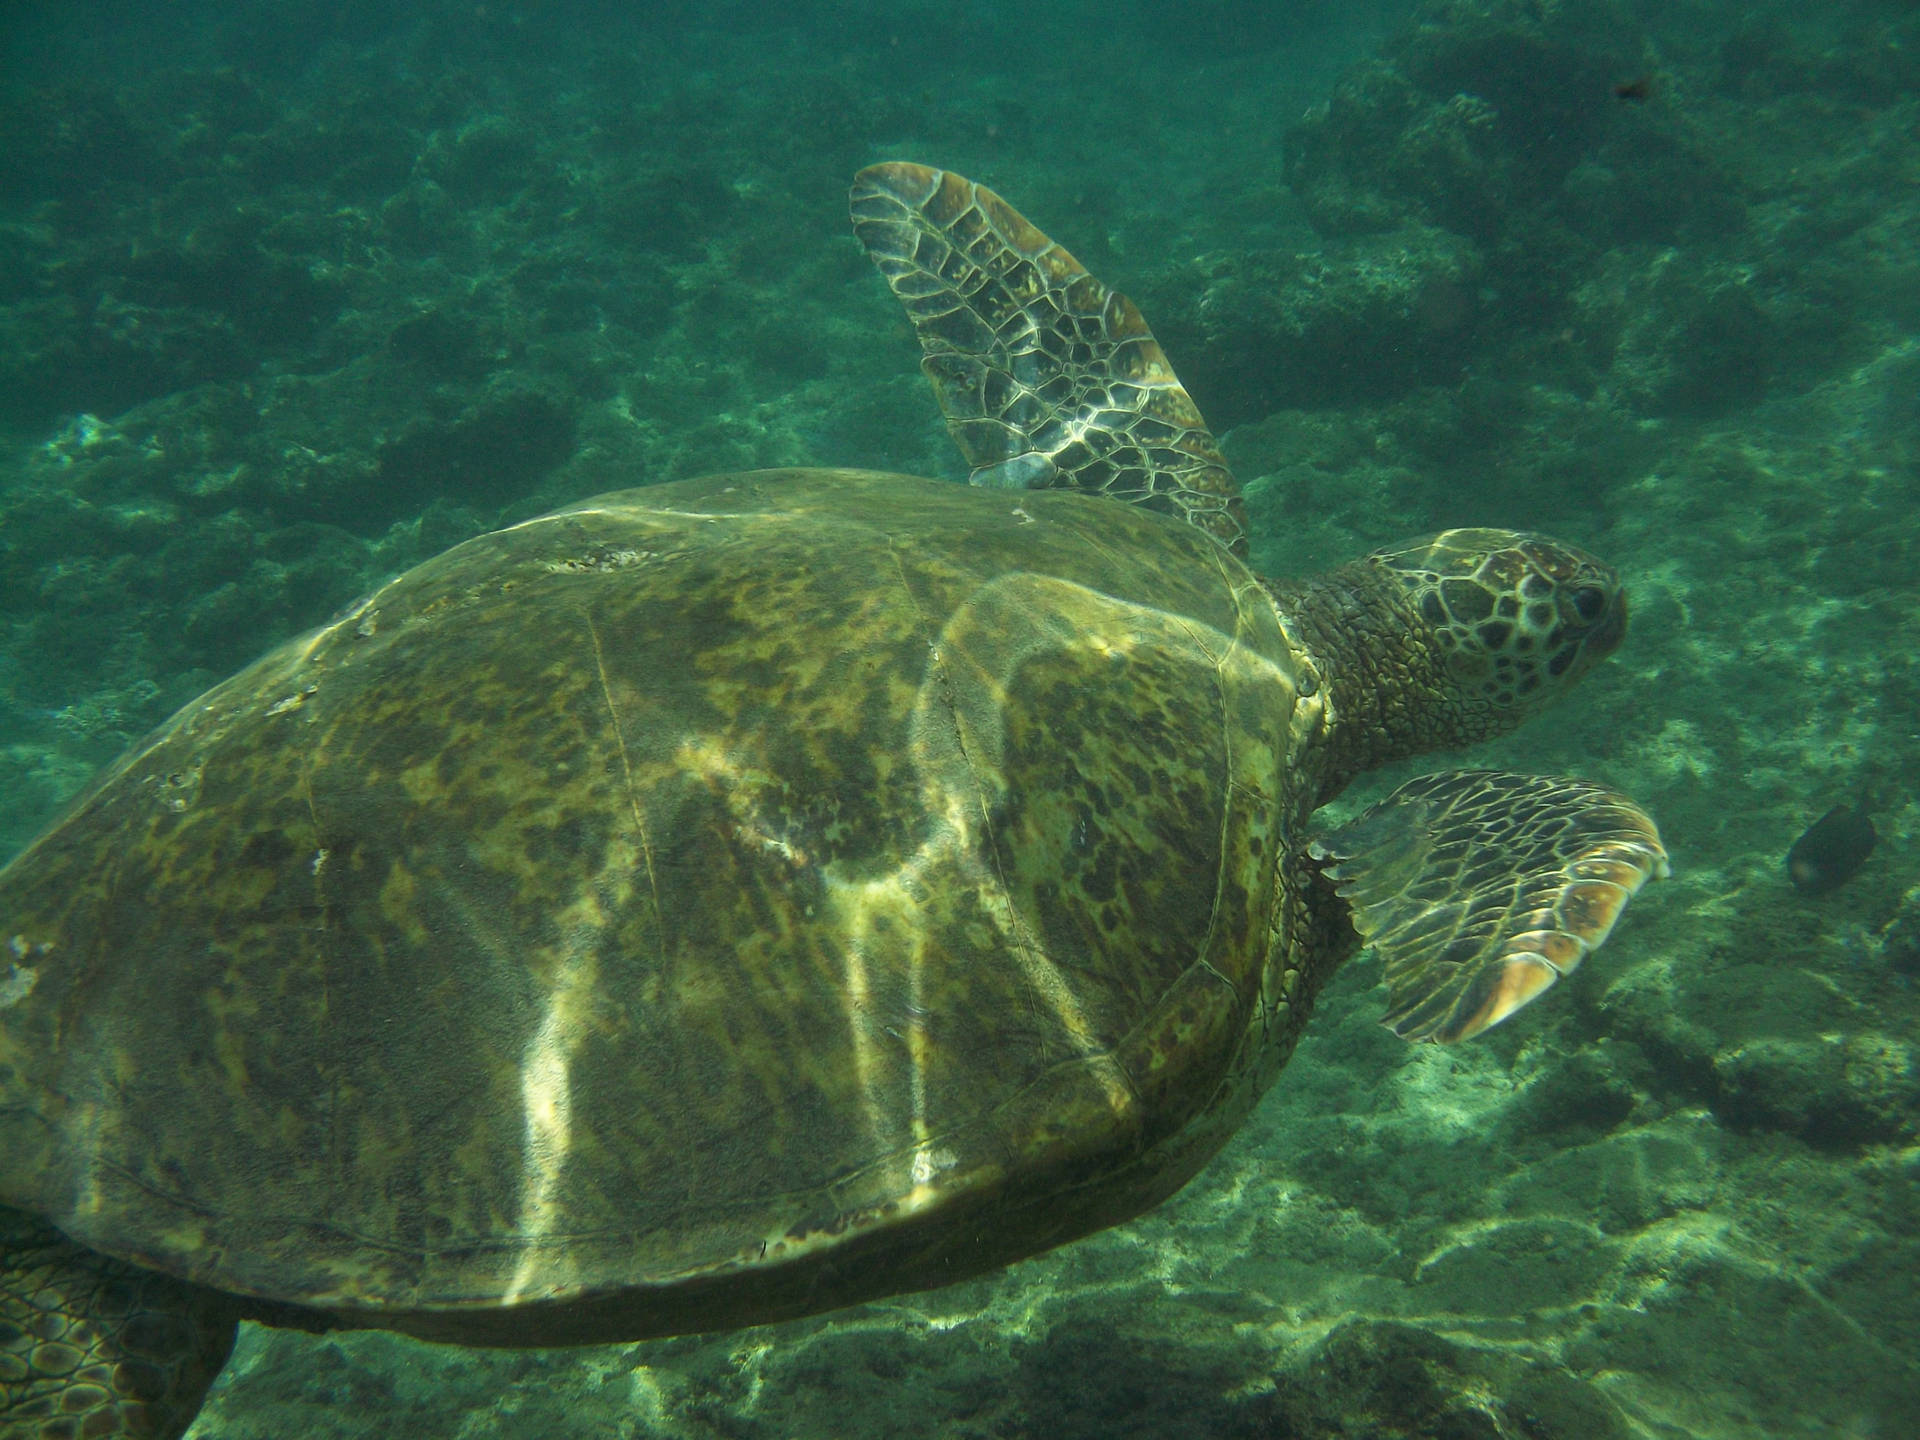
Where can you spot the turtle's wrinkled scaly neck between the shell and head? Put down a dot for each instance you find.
(1389, 694)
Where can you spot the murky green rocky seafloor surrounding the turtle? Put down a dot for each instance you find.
(289, 304)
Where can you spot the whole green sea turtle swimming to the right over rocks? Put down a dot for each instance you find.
(731, 900)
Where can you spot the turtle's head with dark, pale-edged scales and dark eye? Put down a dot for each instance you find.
(1514, 619)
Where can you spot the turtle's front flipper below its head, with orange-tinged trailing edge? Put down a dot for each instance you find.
(1479, 890)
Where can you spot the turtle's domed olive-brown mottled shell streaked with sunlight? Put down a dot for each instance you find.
(704, 905)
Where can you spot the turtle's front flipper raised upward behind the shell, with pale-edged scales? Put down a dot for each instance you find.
(1049, 381)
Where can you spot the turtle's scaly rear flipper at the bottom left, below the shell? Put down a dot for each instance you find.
(93, 1349)
